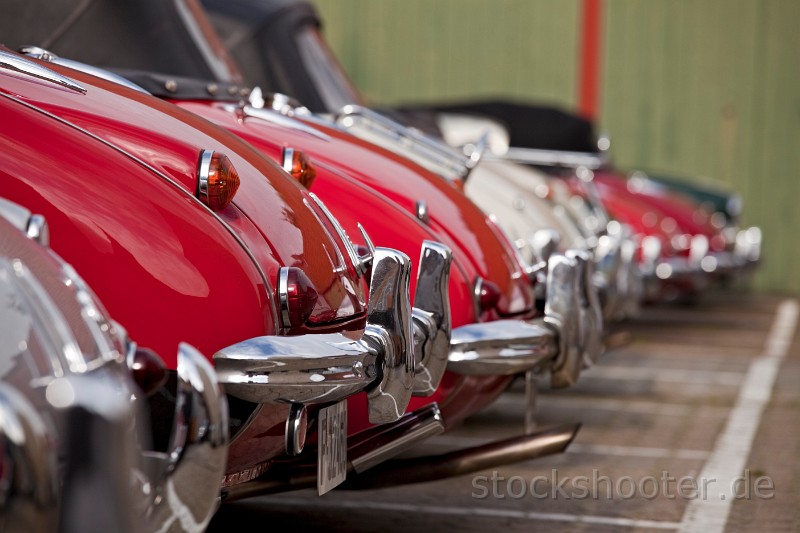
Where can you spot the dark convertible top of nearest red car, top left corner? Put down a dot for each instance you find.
(157, 35)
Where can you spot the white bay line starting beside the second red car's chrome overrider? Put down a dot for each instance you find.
(702, 377)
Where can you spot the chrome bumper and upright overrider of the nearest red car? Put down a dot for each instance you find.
(331, 367)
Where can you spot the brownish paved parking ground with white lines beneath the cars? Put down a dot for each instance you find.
(700, 395)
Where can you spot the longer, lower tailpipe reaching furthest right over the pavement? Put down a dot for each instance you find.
(462, 462)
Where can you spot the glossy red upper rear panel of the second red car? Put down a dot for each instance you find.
(454, 218)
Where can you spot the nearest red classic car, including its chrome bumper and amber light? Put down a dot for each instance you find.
(184, 231)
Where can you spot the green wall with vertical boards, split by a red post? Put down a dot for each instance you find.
(708, 89)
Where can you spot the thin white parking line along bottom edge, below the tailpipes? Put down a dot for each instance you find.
(417, 510)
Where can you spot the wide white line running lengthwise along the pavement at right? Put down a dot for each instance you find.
(709, 514)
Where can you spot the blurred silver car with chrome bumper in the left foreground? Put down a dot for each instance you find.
(73, 431)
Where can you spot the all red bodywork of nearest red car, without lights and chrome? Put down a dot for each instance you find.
(166, 266)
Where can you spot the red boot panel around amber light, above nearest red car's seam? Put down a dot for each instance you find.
(268, 206)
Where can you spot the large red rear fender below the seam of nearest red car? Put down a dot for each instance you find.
(164, 267)
